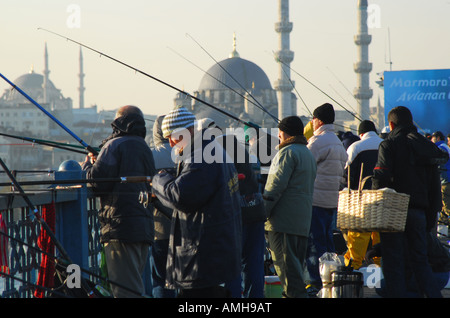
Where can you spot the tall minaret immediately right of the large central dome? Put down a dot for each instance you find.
(283, 86)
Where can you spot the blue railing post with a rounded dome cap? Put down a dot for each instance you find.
(72, 218)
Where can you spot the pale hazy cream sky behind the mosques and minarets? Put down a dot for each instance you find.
(152, 34)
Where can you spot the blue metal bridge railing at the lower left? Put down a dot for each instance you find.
(76, 228)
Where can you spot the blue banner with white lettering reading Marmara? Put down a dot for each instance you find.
(425, 92)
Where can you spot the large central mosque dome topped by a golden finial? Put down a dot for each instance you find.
(237, 87)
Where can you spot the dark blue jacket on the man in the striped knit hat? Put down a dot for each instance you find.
(205, 239)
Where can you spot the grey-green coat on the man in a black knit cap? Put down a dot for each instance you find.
(289, 188)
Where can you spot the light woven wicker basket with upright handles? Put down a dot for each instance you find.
(381, 210)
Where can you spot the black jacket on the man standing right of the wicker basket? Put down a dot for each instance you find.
(408, 163)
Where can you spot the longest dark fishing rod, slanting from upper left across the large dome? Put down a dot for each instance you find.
(154, 78)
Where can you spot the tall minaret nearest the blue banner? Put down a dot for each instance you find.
(362, 67)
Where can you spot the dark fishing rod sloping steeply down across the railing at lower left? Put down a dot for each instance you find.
(34, 212)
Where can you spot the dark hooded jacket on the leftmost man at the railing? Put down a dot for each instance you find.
(124, 153)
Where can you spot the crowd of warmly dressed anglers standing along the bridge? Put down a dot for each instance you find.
(212, 218)
